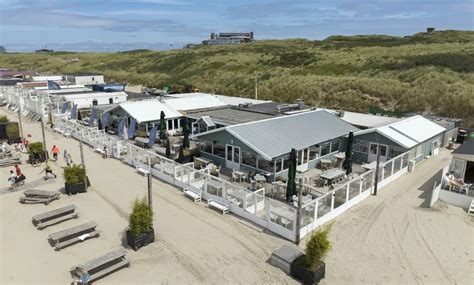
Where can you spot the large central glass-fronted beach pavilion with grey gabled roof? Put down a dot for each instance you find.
(265, 145)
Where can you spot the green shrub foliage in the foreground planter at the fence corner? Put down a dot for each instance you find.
(317, 246)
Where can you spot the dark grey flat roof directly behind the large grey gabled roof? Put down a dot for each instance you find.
(229, 116)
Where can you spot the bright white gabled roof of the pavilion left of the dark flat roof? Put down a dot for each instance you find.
(148, 110)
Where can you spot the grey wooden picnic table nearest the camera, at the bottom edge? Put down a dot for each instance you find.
(102, 265)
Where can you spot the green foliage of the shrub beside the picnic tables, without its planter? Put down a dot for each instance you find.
(141, 217)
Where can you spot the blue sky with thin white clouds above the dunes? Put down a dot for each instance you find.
(117, 25)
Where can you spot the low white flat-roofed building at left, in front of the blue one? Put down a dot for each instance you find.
(88, 99)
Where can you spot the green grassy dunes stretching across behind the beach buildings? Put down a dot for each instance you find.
(428, 73)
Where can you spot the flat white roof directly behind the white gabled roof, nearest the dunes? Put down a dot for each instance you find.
(193, 102)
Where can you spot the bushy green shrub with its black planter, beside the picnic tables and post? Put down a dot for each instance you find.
(140, 232)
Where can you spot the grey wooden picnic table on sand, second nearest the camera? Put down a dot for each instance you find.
(73, 235)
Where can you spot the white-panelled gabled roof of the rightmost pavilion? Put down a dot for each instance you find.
(409, 132)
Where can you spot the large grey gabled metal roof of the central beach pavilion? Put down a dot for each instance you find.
(277, 136)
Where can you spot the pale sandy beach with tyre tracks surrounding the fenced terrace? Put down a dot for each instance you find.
(389, 238)
